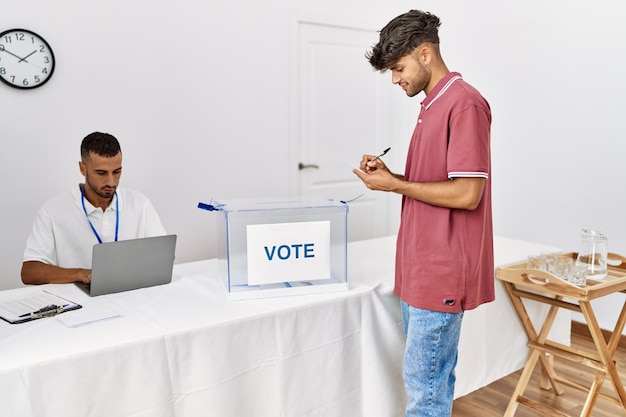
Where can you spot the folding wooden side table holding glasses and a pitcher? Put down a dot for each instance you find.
(541, 286)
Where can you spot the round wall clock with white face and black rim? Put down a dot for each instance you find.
(26, 60)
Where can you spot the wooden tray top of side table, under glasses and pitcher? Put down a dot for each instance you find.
(615, 281)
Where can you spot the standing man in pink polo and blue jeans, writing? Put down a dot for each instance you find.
(444, 258)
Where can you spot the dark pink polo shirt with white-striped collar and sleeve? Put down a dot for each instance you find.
(444, 258)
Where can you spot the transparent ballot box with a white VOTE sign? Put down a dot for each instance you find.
(277, 247)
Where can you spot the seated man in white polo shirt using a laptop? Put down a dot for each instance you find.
(67, 226)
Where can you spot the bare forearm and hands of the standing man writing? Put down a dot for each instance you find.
(460, 193)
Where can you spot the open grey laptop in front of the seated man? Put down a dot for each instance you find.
(131, 264)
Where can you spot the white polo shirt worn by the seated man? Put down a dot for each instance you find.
(62, 235)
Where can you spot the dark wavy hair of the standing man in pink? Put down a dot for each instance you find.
(401, 36)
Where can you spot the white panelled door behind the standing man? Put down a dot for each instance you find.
(342, 111)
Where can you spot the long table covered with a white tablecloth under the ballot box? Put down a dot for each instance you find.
(183, 350)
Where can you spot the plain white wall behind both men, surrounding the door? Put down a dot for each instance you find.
(198, 93)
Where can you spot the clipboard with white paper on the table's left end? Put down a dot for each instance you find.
(35, 306)
